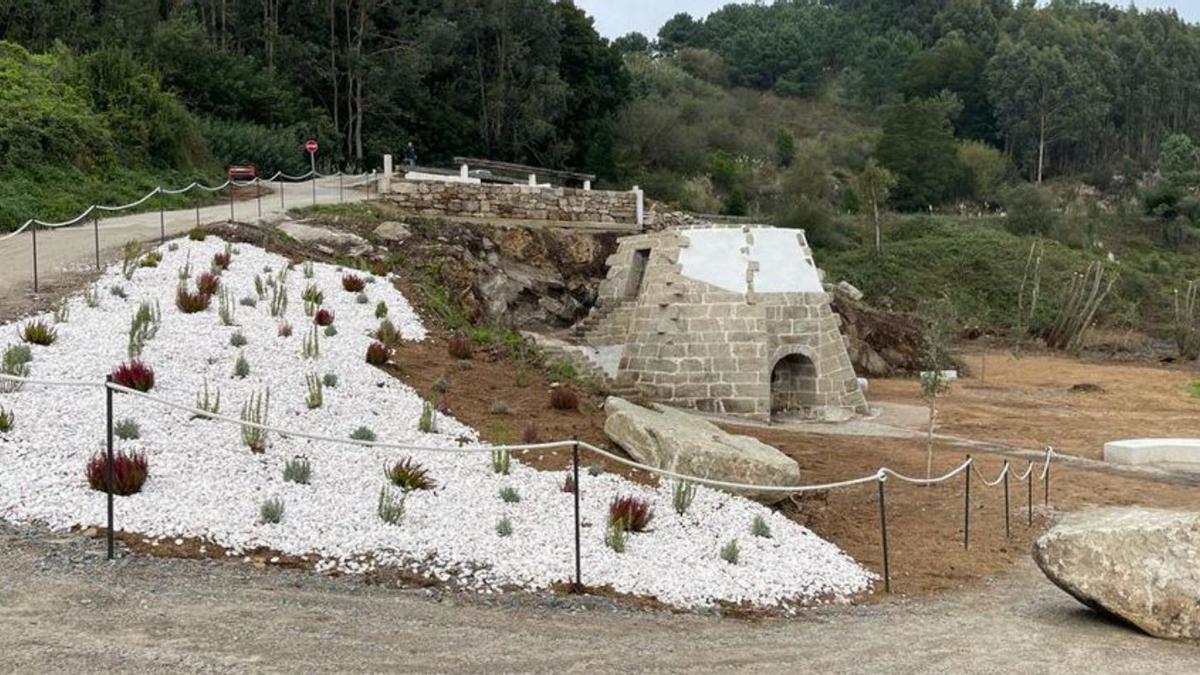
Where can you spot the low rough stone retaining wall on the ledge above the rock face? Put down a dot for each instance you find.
(518, 202)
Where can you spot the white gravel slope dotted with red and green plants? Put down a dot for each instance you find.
(205, 483)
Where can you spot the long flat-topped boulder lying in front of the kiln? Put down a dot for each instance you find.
(677, 441)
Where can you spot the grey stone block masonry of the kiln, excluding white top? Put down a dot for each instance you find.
(700, 347)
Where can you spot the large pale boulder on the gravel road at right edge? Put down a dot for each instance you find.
(1141, 565)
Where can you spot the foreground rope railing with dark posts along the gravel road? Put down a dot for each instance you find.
(880, 477)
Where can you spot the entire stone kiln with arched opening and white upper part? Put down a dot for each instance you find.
(730, 320)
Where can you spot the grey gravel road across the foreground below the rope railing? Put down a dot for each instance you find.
(64, 610)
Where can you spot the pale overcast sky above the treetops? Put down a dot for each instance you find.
(619, 17)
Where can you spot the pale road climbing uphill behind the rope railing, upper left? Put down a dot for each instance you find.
(74, 249)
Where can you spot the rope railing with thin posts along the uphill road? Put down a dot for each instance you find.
(34, 225)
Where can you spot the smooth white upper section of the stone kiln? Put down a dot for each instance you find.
(722, 256)
